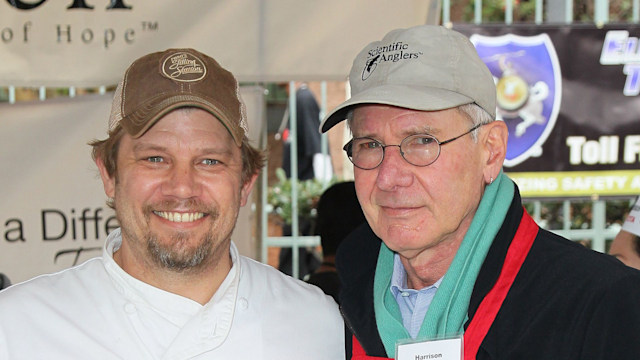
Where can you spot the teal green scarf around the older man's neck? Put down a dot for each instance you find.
(448, 310)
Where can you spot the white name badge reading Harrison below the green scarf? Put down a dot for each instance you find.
(445, 349)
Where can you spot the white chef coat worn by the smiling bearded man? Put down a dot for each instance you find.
(98, 311)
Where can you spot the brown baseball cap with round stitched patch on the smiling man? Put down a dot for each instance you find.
(160, 82)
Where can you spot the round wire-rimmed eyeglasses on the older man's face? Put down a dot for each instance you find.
(419, 150)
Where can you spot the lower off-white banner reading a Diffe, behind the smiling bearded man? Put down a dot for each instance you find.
(53, 213)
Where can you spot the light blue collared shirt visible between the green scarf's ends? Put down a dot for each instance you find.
(413, 304)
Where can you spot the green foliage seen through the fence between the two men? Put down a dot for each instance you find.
(309, 191)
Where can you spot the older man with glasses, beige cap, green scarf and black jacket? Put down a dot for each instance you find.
(450, 265)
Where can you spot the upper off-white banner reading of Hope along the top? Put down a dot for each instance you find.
(89, 43)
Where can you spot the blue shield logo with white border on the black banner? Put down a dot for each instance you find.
(529, 89)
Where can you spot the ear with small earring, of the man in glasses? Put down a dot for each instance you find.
(495, 147)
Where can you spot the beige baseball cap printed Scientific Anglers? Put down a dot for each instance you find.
(425, 67)
